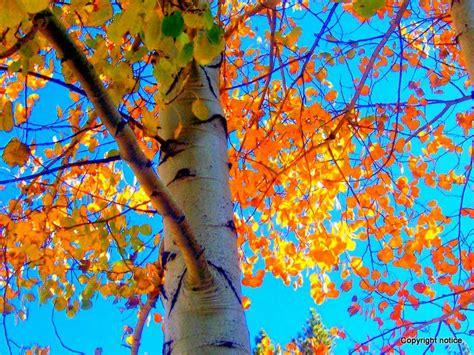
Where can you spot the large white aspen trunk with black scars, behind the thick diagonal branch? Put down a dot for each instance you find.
(194, 166)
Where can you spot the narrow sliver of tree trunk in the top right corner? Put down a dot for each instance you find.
(462, 13)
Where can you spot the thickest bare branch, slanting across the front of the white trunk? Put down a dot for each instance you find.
(198, 273)
